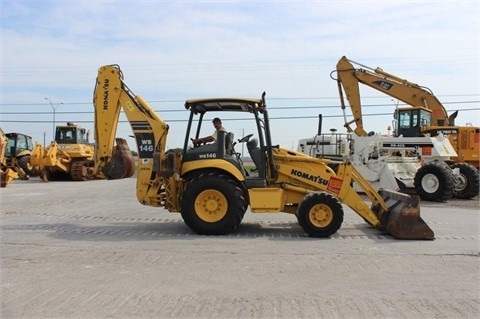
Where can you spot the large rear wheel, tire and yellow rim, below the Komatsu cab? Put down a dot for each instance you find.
(212, 204)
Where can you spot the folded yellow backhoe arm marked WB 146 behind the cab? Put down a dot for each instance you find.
(155, 168)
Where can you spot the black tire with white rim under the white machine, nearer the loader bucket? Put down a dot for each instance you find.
(434, 182)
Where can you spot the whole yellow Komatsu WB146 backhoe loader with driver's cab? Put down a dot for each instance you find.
(210, 187)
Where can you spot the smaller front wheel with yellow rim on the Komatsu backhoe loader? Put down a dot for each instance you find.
(320, 214)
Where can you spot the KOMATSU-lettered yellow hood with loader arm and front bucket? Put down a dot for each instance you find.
(390, 211)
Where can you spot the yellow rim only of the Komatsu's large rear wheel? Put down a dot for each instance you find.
(211, 206)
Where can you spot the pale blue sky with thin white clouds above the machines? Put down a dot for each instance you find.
(171, 51)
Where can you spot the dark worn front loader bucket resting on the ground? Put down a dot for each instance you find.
(402, 220)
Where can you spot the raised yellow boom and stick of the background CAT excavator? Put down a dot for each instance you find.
(349, 77)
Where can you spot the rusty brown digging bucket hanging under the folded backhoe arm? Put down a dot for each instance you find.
(122, 164)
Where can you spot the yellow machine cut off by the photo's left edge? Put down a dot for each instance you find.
(15, 152)
